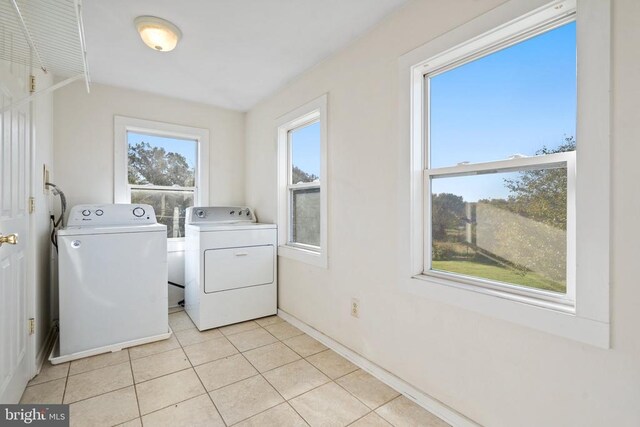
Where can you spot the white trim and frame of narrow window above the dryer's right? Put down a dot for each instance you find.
(315, 110)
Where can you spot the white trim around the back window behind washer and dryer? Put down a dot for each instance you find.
(121, 190)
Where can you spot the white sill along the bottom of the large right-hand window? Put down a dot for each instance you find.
(543, 316)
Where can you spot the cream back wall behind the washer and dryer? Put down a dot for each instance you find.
(83, 145)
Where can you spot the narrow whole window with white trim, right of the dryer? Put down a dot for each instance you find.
(302, 185)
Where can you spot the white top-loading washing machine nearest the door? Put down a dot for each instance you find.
(112, 280)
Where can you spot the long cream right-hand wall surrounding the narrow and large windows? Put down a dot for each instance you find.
(495, 372)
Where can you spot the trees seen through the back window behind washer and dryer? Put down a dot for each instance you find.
(151, 166)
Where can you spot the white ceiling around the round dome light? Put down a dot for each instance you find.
(233, 53)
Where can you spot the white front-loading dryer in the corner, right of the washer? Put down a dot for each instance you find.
(230, 266)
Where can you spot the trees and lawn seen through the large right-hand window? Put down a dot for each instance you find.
(518, 239)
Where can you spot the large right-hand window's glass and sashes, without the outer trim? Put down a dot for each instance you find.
(500, 175)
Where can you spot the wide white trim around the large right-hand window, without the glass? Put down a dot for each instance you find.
(589, 321)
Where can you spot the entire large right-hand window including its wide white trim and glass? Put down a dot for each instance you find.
(509, 167)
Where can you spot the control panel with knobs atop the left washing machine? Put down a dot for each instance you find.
(111, 215)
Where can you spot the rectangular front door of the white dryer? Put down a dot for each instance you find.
(234, 268)
